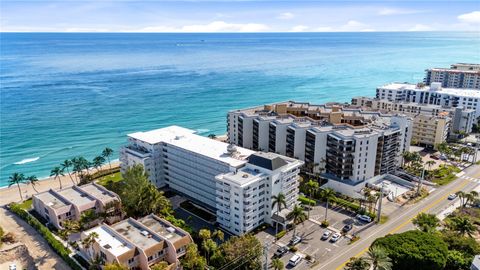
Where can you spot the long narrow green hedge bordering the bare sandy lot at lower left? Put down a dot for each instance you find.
(59, 248)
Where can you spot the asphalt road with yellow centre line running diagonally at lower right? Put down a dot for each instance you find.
(434, 203)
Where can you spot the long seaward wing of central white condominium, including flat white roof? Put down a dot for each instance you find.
(182, 160)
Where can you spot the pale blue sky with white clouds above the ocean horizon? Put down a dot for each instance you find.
(238, 16)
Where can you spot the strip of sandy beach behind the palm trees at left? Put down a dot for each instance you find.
(11, 194)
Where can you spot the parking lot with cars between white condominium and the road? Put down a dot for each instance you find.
(311, 233)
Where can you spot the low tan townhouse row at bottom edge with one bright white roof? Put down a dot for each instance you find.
(138, 244)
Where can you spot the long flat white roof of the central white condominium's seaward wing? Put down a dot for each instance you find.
(188, 140)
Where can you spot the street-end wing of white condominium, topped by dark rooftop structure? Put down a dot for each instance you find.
(243, 196)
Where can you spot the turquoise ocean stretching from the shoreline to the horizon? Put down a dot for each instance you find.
(64, 95)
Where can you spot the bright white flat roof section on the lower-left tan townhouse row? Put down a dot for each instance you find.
(110, 241)
